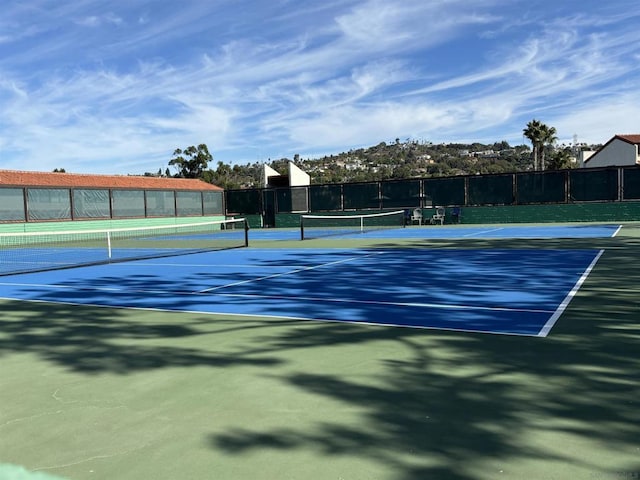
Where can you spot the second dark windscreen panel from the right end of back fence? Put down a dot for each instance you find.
(592, 185)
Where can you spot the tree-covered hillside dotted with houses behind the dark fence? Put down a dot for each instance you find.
(398, 160)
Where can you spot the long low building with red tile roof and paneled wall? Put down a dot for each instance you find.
(53, 196)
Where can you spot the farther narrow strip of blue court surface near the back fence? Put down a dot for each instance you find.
(451, 231)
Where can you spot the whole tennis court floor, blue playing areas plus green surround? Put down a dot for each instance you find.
(286, 360)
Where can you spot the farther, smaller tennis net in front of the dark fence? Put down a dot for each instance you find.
(316, 226)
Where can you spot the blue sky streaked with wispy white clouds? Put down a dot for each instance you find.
(115, 87)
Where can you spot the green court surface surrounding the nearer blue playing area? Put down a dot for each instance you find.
(102, 393)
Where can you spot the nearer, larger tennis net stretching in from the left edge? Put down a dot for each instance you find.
(40, 251)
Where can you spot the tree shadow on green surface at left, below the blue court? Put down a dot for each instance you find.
(97, 340)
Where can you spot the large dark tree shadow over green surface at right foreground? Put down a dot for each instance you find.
(454, 406)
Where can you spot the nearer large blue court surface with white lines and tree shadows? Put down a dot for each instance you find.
(517, 292)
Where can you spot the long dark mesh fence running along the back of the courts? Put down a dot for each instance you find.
(602, 184)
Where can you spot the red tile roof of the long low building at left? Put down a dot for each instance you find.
(16, 178)
